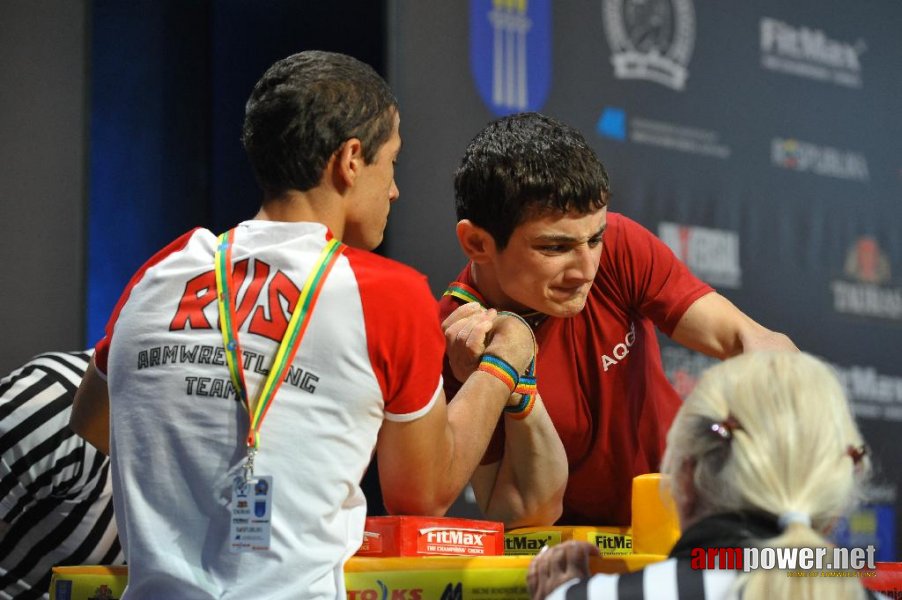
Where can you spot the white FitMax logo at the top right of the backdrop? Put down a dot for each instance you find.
(810, 53)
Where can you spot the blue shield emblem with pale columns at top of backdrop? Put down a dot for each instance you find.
(510, 53)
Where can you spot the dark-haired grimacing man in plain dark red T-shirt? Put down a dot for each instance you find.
(532, 201)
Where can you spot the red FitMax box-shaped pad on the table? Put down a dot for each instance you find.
(431, 536)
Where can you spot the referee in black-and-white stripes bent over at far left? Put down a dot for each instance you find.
(55, 494)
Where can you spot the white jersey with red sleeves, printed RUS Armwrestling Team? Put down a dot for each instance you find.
(372, 351)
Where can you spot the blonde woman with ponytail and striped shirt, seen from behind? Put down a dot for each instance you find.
(764, 453)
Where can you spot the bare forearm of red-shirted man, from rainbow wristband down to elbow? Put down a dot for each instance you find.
(528, 484)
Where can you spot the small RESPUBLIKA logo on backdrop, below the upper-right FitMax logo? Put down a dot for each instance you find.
(805, 157)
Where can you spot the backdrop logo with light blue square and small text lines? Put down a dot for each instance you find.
(614, 124)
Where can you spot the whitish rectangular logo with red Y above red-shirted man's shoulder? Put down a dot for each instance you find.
(711, 254)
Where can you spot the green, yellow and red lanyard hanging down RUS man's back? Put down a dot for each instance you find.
(227, 293)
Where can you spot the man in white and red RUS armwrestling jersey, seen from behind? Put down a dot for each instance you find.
(244, 382)
